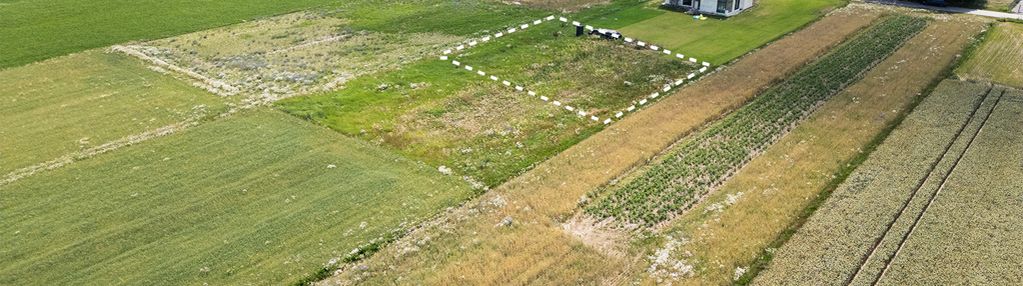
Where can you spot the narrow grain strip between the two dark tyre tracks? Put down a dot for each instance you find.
(888, 245)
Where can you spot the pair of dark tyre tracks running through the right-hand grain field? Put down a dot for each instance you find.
(948, 154)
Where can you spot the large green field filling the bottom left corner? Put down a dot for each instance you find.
(249, 200)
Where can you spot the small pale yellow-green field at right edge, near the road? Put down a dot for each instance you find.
(1000, 59)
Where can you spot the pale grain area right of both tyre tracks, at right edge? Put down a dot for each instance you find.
(970, 234)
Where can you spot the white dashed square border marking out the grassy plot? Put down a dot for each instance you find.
(580, 112)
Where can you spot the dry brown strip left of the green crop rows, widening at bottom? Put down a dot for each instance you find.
(465, 247)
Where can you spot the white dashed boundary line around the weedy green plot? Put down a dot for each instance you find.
(449, 54)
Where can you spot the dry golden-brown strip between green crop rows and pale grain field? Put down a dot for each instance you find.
(776, 187)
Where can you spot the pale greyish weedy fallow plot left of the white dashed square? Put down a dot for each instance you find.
(292, 55)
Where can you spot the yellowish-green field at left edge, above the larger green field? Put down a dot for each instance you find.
(73, 104)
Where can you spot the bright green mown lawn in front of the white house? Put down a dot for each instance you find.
(720, 41)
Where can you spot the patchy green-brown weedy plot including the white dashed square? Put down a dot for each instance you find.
(447, 116)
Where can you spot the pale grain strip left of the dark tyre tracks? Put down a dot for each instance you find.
(831, 247)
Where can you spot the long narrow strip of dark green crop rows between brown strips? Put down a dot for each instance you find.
(705, 161)
